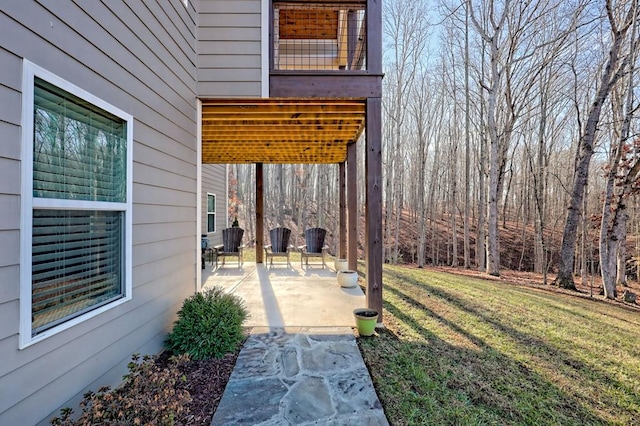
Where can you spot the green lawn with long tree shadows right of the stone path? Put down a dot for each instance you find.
(464, 351)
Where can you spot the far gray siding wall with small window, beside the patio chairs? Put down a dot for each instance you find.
(214, 181)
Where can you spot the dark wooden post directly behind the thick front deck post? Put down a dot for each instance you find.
(352, 206)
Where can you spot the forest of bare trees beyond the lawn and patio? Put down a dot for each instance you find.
(510, 141)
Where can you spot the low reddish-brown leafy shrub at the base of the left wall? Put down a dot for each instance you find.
(147, 397)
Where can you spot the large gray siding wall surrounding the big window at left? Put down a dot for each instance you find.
(141, 58)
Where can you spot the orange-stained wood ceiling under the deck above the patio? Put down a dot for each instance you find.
(285, 131)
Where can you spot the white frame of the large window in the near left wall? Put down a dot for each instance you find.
(28, 203)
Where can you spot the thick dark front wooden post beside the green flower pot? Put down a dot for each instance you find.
(373, 227)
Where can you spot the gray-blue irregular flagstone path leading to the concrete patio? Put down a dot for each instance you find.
(304, 376)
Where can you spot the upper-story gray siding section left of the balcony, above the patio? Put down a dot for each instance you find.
(229, 48)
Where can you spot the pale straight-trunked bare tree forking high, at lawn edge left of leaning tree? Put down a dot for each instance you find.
(515, 34)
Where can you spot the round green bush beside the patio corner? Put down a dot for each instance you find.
(209, 325)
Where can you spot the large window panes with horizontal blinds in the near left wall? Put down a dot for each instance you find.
(79, 206)
